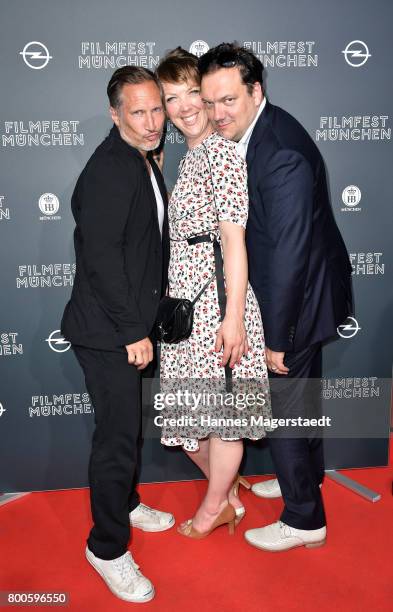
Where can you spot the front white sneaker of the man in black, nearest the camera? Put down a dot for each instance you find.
(123, 577)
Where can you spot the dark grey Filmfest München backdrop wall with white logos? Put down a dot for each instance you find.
(328, 64)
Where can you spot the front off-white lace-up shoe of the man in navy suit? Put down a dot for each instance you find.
(279, 536)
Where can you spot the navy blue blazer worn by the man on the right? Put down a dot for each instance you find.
(298, 264)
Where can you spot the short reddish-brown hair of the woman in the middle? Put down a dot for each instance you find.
(178, 66)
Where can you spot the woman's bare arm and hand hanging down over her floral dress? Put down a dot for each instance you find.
(232, 333)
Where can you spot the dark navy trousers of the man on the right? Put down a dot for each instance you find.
(298, 458)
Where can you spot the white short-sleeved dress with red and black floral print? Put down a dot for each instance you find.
(194, 209)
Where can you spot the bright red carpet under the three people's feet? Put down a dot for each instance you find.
(42, 549)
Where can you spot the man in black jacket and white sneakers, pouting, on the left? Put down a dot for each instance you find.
(122, 251)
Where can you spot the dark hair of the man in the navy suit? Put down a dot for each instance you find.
(228, 55)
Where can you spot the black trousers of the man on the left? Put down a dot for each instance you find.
(115, 389)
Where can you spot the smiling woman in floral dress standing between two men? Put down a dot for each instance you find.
(210, 197)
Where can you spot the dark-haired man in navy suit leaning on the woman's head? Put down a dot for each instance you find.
(300, 272)
